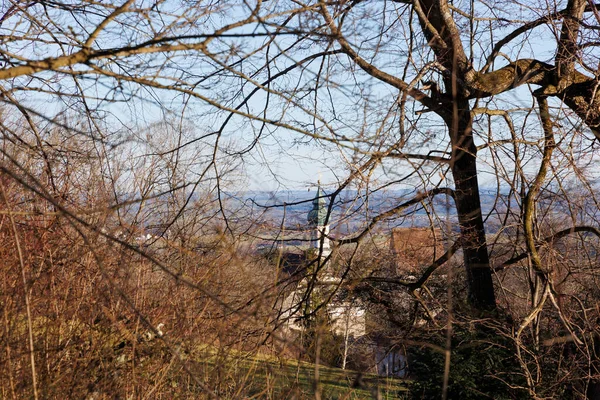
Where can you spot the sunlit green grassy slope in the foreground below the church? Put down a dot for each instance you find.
(230, 374)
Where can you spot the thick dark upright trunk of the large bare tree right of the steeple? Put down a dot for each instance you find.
(443, 36)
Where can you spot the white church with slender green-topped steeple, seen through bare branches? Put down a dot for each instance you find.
(347, 316)
